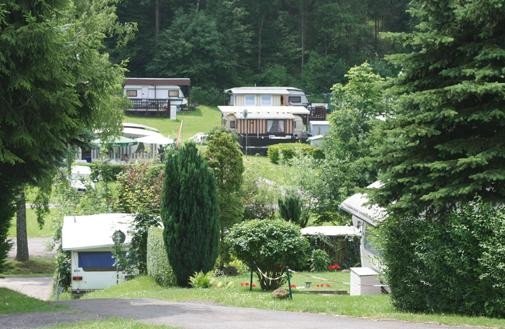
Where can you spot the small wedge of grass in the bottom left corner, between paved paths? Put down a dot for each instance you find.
(13, 302)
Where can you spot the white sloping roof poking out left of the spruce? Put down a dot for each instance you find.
(358, 205)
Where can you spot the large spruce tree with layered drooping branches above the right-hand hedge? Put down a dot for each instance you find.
(445, 142)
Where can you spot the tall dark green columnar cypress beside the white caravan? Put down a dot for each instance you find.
(189, 211)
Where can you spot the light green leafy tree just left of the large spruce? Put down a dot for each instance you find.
(347, 147)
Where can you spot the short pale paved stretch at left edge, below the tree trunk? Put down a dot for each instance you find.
(38, 287)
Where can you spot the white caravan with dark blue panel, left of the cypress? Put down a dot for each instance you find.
(90, 242)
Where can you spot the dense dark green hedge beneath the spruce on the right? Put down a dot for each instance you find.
(450, 265)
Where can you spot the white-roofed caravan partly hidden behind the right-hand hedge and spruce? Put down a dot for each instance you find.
(366, 217)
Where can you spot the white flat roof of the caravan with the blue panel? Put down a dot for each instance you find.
(94, 231)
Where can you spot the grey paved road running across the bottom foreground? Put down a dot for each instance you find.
(200, 316)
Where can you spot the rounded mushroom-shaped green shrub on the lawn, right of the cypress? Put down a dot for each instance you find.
(268, 247)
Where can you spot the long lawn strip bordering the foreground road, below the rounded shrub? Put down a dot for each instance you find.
(230, 292)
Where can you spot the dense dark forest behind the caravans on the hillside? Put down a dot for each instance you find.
(225, 43)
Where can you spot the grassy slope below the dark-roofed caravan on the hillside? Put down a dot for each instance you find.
(202, 119)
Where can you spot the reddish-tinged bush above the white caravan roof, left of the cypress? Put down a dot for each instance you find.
(140, 188)
